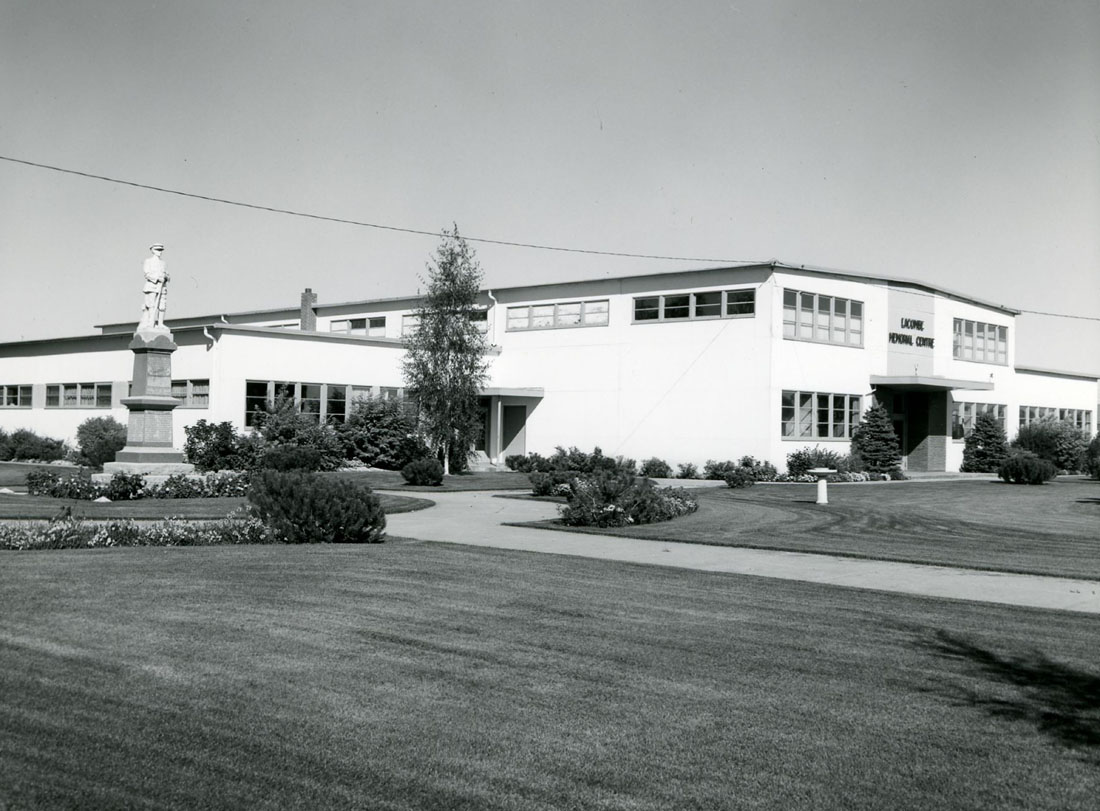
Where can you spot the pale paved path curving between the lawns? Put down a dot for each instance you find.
(476, 519)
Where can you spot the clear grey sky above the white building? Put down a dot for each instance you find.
(953, 143)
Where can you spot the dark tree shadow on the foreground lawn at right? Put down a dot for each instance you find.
(1061, 702)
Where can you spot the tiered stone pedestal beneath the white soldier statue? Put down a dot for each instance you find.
(149, 433)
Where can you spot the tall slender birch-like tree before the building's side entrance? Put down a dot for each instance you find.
(445, 360)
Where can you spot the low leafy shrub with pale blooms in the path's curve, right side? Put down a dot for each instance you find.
(618, 499)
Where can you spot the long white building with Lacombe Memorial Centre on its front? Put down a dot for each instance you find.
(690, 366)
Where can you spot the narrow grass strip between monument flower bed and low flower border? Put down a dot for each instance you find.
(18, 508)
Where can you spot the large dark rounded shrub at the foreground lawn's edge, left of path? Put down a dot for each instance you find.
(307, 509)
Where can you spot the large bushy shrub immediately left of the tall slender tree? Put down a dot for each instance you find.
(382, 434)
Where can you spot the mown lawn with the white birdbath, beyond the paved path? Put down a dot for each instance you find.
(1050, 530)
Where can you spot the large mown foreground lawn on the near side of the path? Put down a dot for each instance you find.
(419, 676)
